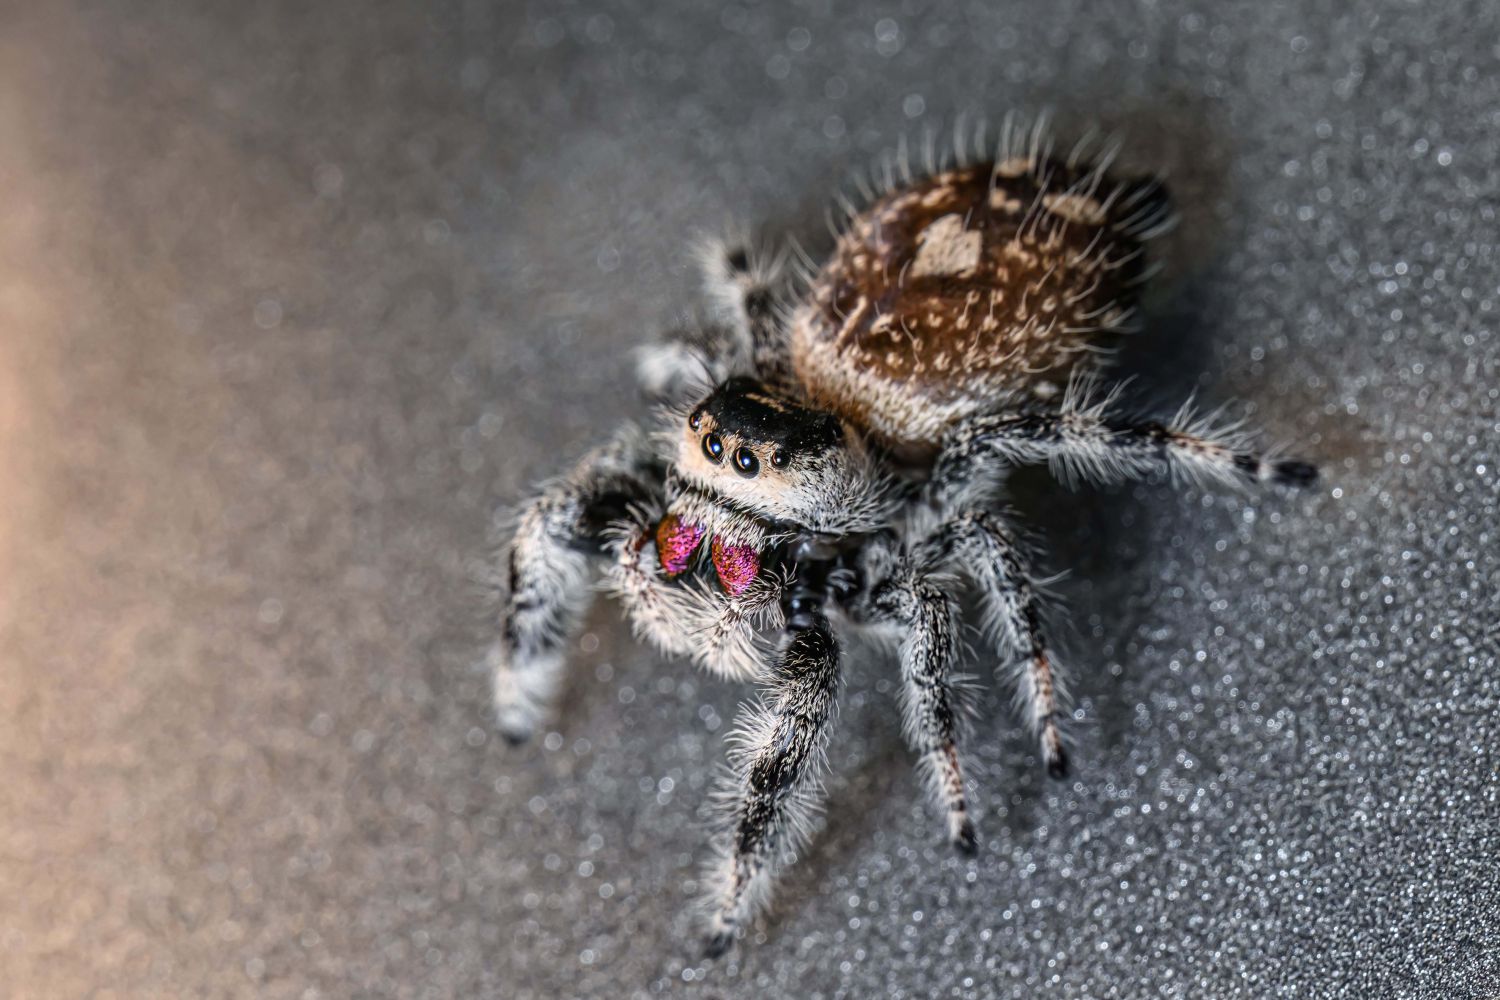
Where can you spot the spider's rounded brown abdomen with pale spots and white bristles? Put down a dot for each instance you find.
(970, 289)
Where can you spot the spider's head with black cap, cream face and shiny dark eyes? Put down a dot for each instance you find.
(767, 454)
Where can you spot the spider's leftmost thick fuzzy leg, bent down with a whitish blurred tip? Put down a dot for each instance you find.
(548, 569)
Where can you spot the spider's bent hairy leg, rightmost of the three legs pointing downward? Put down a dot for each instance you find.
(980, 545)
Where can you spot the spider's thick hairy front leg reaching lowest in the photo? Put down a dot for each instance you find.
(775, 780)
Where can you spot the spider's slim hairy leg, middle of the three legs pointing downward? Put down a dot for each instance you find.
(916, 602)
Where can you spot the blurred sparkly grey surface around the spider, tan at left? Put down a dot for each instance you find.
(293, 296)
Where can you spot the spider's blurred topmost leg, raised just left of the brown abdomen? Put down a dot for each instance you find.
(746, 284)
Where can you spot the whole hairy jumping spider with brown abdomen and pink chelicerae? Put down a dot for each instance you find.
(836, 454)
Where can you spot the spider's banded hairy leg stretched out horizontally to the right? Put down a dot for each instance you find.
(1081, 442)
